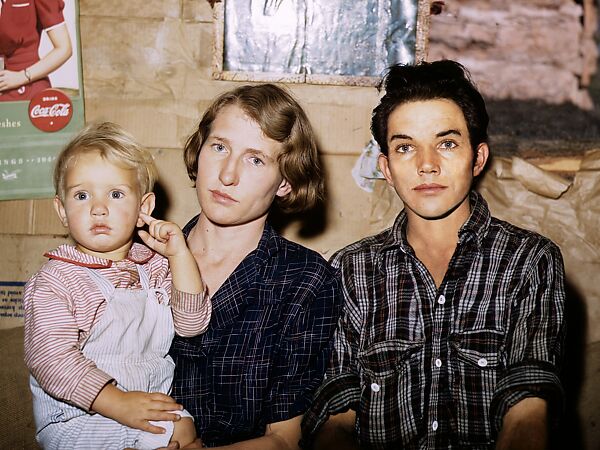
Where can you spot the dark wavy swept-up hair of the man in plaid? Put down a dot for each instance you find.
(444, 79)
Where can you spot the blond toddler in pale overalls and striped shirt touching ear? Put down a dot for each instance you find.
(100, 315)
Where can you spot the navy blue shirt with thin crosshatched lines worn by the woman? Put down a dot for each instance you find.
(267, 346)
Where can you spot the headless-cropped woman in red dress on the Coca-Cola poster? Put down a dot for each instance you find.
(23, 73)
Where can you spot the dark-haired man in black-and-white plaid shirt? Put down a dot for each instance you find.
(452, 330)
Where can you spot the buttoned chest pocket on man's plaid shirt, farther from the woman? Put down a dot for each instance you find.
(476, 361)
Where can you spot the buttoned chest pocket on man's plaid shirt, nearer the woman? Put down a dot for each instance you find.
(389, 374)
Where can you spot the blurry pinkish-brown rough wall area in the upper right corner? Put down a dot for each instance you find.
(525, 49)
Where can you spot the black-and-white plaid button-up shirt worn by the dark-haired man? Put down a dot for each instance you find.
(437, 368)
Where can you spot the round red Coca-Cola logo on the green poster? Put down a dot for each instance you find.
(50, 110)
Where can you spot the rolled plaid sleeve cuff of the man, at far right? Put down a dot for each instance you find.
(527, 379)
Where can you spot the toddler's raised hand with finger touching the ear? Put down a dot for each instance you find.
(163, 237)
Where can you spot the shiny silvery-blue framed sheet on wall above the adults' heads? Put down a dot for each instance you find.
(344, 42)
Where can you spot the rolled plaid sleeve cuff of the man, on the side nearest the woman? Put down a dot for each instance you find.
(336, 395)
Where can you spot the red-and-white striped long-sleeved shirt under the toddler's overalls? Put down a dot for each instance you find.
(62, 304)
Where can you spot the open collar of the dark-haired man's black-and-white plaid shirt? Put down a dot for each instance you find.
(474, 228)
